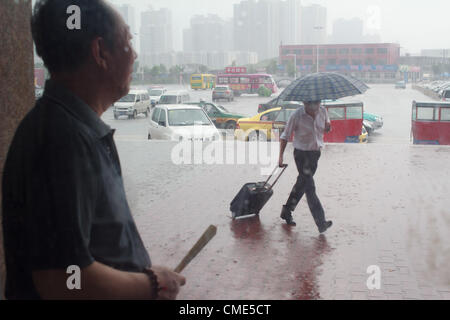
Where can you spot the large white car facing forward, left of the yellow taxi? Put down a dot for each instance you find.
(180, 122)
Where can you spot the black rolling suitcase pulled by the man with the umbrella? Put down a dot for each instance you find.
(253, 196)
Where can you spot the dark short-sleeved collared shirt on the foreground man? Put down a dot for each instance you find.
(64, 201)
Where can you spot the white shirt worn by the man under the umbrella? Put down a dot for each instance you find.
(308, 132)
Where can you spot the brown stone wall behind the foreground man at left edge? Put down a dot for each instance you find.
(16, 80)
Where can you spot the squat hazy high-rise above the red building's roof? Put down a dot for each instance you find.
(348, 31)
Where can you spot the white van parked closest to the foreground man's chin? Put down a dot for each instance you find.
(134, 103)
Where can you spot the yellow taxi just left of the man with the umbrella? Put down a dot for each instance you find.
(262, 127)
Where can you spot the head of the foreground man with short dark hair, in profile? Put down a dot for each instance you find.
(101, 44)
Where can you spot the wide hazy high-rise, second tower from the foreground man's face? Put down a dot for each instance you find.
(156, 33)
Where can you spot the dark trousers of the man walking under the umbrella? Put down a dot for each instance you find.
(306, 162)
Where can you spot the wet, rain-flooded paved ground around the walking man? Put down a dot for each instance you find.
(387, 200)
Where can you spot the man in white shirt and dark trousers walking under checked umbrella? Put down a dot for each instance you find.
(308, 124)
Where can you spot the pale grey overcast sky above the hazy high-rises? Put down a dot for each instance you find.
(415, 24)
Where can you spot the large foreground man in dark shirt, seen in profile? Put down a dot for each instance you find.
(64, 202)
